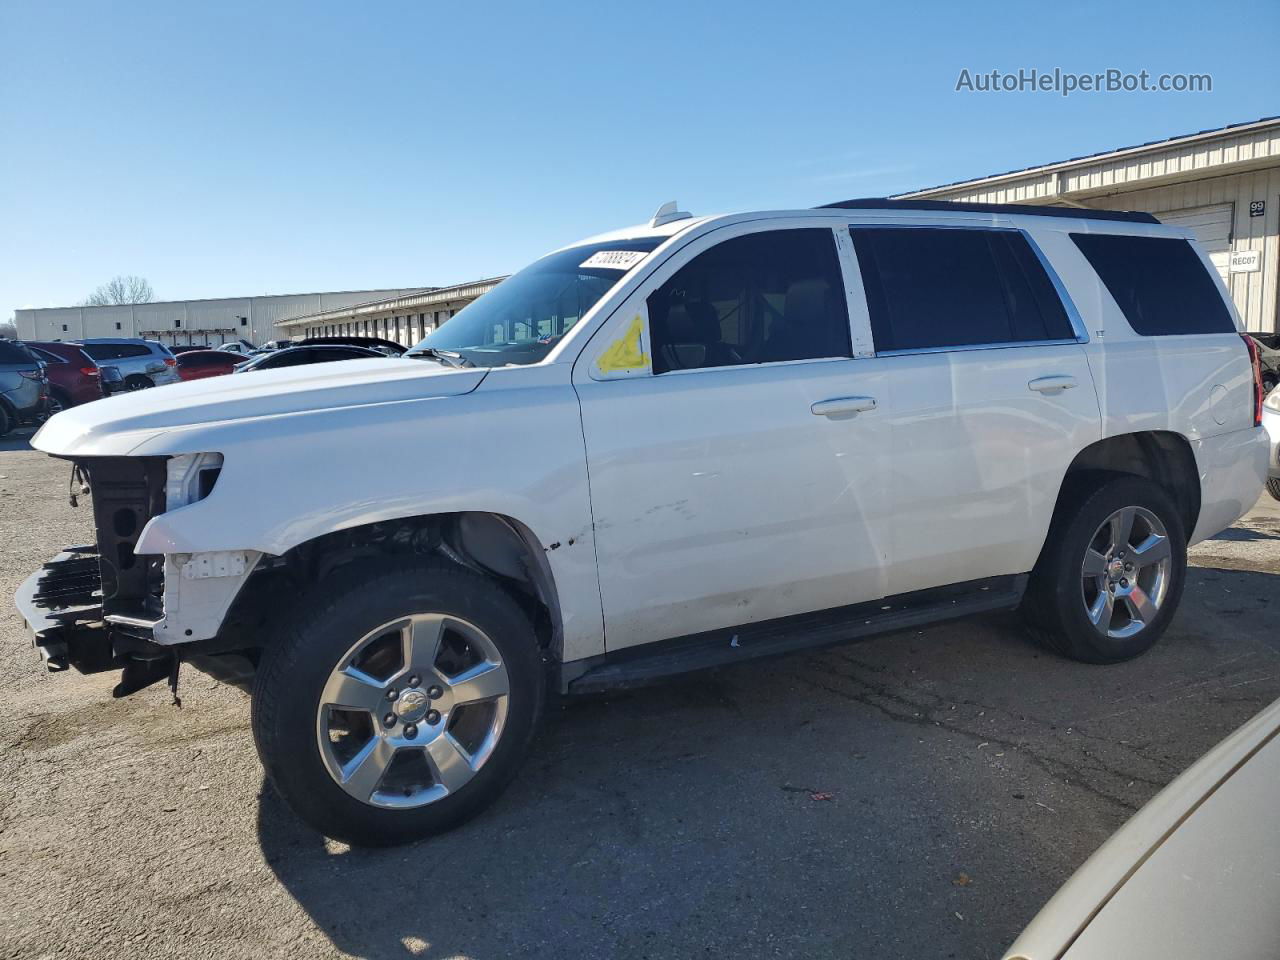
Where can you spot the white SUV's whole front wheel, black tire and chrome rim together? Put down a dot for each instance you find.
(299, 669)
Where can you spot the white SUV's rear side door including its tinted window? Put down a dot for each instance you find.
(989, 396)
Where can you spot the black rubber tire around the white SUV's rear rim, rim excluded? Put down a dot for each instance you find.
(1055, 607)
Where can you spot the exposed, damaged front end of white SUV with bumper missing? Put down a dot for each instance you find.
(106, 607)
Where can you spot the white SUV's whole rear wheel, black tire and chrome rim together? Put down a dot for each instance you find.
(1063, 600)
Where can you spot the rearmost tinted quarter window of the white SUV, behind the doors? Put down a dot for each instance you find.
(1159, 284)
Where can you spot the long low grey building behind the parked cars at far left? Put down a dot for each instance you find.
(211, 322)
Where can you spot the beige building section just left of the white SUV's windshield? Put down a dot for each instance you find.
(404, 319)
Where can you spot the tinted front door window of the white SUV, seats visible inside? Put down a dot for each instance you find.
(753, 300)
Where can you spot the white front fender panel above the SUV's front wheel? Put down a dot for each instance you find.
(514, 450)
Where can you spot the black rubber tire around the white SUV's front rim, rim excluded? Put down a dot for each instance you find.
(299, 659)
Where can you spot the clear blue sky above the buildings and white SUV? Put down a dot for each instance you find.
(276, 148)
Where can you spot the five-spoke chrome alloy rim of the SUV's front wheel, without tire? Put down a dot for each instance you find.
(413, 711)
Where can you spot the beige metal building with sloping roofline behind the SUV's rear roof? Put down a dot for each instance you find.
(1223, 184)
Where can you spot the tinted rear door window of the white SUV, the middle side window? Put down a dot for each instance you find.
(930, 289)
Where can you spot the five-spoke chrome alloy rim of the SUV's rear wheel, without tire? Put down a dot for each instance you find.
(1126, 573)
